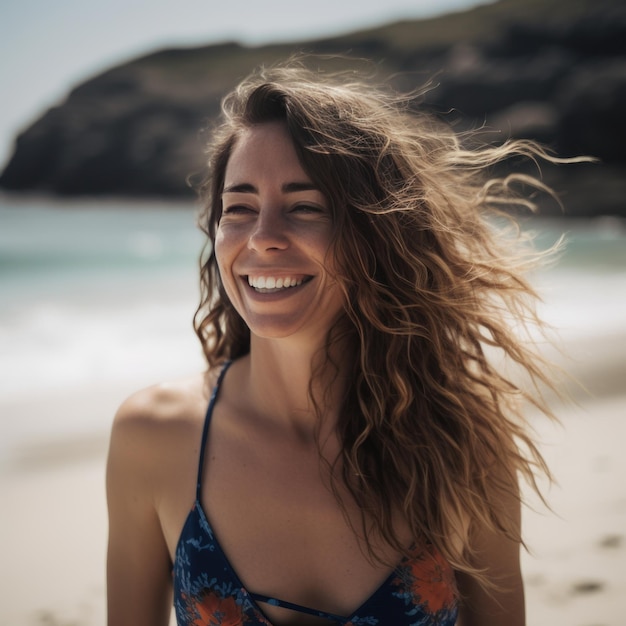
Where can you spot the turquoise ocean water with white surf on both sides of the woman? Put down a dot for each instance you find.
(95, 293)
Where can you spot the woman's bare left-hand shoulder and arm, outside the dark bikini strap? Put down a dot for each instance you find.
(150, 482)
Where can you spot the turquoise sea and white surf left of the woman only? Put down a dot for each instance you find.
(95, 292)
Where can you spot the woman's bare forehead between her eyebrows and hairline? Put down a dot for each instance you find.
(262, 151)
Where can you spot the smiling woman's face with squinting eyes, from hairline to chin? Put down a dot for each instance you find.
(273, 239)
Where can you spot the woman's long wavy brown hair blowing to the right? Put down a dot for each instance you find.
(431, 426)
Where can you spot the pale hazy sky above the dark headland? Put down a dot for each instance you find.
(46, 48)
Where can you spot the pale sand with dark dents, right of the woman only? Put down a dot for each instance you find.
(576, 572)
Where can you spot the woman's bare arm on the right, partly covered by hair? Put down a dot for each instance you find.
(499, 558)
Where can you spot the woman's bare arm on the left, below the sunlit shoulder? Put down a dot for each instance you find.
(138, 562)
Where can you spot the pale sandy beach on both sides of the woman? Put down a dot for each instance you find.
(54, 512)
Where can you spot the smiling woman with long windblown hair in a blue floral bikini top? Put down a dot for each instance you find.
(358, 462)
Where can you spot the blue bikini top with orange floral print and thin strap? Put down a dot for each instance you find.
(421, 591)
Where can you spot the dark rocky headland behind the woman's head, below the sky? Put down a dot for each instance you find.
(552, 70)
